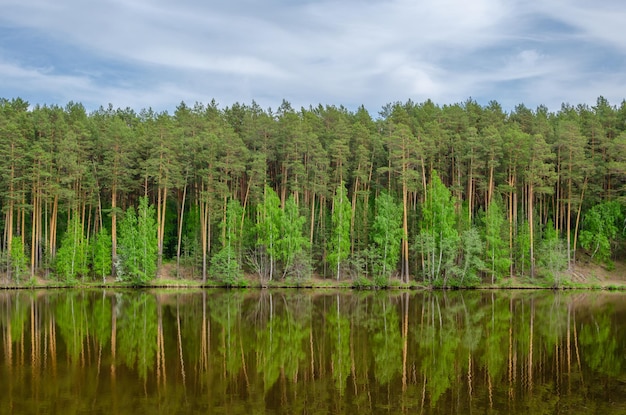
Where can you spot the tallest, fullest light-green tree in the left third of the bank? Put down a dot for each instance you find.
(138, 248)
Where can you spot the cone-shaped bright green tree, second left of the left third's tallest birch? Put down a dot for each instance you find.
(71, 258)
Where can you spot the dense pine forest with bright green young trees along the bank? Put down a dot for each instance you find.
(449, 195)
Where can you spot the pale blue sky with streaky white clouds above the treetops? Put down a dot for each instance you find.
(158, 53)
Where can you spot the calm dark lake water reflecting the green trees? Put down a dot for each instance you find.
(236, 352)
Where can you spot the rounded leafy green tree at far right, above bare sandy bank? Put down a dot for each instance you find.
(602, 227)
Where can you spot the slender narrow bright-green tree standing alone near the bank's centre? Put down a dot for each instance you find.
(339, 242)
